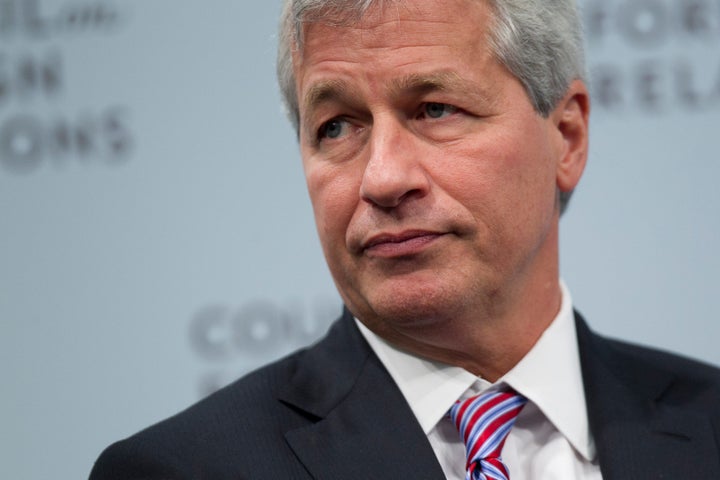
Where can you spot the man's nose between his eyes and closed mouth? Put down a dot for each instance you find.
(394, 172)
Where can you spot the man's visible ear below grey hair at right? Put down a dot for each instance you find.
(571, 117)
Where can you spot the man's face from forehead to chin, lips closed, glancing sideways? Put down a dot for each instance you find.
(432, 179)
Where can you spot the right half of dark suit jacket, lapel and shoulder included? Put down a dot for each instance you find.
(652, 414)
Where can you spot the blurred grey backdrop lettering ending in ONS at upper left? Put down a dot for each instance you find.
(34, 131)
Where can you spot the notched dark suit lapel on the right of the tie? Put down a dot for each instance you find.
(636, 434)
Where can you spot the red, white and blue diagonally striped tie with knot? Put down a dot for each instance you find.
(484, 422)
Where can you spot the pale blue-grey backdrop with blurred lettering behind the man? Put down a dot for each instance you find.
(156, 240)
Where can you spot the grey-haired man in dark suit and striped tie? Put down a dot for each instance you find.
(440, 142)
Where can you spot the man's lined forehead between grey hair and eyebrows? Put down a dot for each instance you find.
(394, 36)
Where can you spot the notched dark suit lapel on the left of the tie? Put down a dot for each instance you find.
(363, 426)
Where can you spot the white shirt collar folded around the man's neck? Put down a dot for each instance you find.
(549, 376)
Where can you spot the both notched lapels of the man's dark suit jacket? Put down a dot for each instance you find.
(362, 427)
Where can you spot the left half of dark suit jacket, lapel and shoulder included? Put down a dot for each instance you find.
(330, 411)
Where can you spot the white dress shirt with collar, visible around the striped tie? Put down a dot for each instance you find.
(551, 438)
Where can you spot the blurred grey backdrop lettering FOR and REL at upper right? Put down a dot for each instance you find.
(654, 56)
